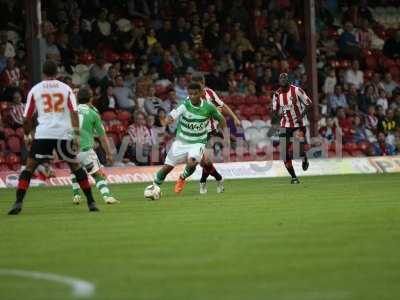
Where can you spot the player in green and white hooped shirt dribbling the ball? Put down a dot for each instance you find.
(193, 116)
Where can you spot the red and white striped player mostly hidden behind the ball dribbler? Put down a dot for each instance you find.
(206, 163)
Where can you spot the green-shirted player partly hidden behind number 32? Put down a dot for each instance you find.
(91, 125)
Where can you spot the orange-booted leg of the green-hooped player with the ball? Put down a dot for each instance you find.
(194, 155)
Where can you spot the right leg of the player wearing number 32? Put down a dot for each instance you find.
(66, 153)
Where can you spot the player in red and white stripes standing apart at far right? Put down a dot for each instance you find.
(291, 103)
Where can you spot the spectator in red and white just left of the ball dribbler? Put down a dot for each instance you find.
(140, 140)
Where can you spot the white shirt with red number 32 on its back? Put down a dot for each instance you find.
(53, 101)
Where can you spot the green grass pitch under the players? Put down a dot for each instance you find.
(330, 238)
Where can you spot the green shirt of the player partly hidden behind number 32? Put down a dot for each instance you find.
(91, 126)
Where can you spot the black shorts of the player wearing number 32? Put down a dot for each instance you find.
(43, 149)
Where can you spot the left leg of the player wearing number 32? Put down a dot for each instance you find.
(40, 149)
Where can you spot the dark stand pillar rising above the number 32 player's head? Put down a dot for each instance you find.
(34, 40)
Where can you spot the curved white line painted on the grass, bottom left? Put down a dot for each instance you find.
(80, 288)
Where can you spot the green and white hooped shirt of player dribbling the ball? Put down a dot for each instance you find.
(193, 121)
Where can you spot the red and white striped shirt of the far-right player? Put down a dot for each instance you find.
(291, 105)
